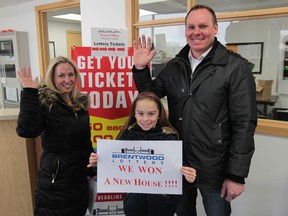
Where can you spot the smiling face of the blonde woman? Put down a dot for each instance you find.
(64, 77)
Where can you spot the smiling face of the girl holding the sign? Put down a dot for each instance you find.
(146, 114)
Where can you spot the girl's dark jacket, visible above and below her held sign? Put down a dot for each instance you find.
(141, 204)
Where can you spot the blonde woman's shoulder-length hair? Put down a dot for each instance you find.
(75, 92)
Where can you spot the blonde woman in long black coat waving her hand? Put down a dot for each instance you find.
(58, 112)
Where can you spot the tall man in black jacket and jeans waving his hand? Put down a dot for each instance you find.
(212, 103)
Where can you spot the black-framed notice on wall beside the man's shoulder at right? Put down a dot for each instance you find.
(253, 52)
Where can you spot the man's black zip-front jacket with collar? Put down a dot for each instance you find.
(214, 111)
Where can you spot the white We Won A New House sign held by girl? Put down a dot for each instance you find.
(150, 166)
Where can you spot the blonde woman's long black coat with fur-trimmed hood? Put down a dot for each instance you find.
(62, 186)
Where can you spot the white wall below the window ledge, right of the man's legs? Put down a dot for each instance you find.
(266, 187)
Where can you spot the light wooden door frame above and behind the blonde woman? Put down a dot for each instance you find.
(42, 29)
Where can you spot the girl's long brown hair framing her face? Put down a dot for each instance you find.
(163, 119)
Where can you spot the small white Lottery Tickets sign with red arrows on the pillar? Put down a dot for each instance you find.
(109, 42)
